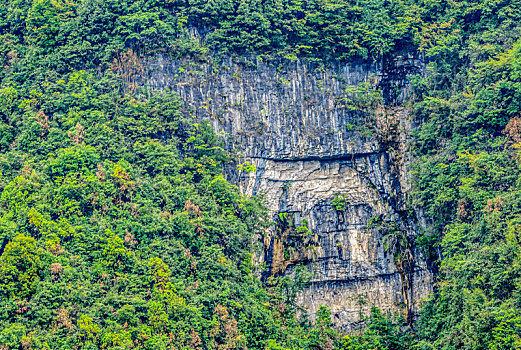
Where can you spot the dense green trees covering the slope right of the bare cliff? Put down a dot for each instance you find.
(468, 181)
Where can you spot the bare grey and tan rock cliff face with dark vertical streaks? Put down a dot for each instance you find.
(330, 157)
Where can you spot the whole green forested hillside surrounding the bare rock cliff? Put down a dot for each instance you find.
(119, 231)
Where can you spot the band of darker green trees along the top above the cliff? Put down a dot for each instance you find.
(64, 34)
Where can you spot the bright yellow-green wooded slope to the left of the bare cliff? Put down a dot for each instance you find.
(113, 238)
